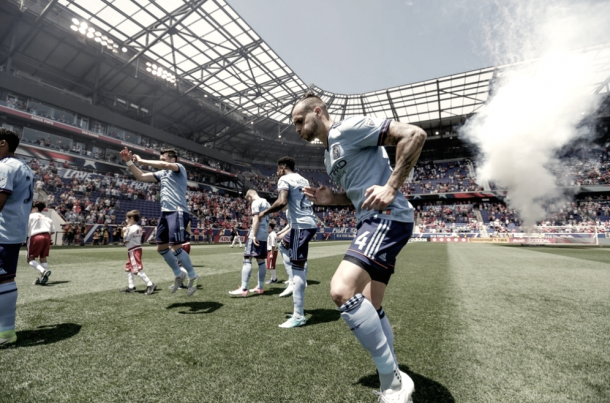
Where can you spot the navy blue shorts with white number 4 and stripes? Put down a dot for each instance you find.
(376, 246)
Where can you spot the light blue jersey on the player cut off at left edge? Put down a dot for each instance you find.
(16, 179)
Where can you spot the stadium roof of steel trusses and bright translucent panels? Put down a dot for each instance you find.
(218, 82)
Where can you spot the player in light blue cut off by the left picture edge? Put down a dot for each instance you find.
(16, 193)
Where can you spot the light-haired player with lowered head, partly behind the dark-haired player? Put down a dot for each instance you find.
(256, 246)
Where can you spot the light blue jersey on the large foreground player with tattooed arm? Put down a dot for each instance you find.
(356, 159)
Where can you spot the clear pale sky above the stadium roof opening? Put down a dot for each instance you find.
(356, 46)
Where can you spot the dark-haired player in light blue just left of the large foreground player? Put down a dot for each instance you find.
(303, 228)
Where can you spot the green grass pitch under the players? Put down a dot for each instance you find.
(473, 323)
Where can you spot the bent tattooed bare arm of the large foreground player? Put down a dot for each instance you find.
(409, 141)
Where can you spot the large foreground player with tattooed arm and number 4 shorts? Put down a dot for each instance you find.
(356, 159)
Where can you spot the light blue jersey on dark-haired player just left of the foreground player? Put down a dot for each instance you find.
(299, 207)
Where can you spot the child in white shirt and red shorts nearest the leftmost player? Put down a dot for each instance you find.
(40, 229)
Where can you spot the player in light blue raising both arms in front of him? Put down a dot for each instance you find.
(171, 229)
